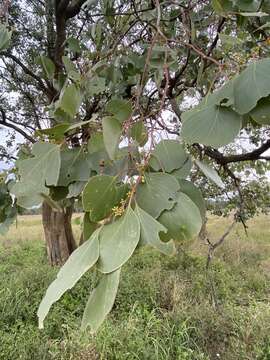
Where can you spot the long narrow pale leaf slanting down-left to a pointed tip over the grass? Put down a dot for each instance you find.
(77, 264)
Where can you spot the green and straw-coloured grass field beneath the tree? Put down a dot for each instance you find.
(164, 308)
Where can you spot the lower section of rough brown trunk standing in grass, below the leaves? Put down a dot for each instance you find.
(58, 233)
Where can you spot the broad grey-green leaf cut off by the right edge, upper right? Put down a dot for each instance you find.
(252, 85)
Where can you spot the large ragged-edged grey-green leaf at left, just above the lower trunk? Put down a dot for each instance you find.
(36, 173)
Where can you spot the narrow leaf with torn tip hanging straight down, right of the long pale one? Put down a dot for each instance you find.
(101, 301)
